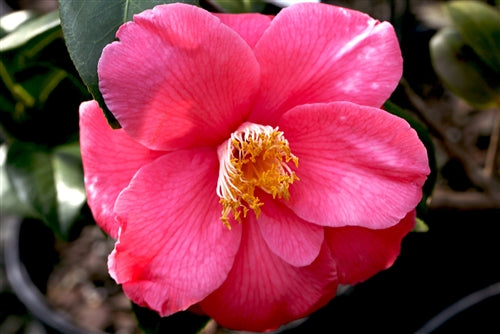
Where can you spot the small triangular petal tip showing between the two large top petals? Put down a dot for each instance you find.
(249, 26)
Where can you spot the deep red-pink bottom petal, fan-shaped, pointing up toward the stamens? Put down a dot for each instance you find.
(262, 291)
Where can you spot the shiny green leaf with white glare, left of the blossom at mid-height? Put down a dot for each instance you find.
(47, 183)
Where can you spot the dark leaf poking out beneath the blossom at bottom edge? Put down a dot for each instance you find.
(181, 322)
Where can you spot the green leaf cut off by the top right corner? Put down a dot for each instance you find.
(479, 25)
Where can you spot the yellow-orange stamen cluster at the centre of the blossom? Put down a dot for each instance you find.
(256, 156)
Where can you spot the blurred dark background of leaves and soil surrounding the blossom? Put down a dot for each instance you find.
(54, 279)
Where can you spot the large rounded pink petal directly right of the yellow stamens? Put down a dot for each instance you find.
(358, 166)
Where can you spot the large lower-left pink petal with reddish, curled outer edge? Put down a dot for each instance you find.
(173, 249)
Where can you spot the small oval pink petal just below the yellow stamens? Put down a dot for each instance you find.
(294, 240)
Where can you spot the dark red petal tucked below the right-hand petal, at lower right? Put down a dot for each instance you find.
(361, 253)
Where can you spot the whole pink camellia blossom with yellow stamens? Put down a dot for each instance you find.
(254, 170)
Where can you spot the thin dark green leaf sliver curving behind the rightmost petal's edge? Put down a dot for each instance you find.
(424, 136)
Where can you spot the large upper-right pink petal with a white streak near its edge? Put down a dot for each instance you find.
(321, 53)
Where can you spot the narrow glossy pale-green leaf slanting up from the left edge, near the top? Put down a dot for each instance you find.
(33, 28)
